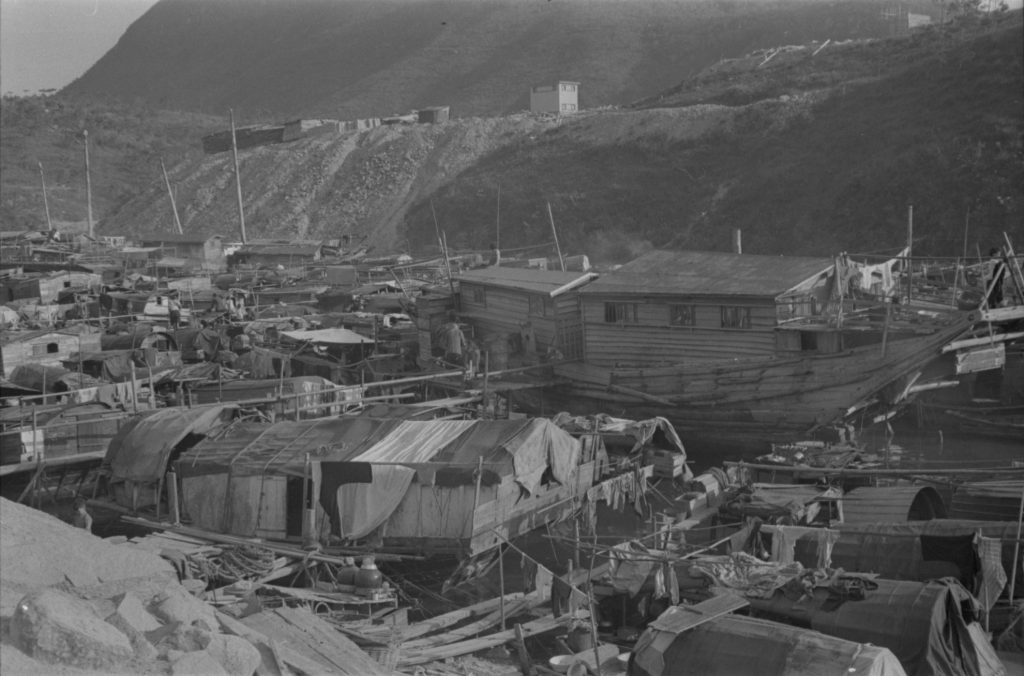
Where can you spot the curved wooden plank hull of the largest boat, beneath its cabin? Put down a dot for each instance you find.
(750, 404)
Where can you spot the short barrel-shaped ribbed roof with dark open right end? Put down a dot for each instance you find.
(892, 504)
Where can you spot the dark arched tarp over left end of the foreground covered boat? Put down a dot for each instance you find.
(141, 450)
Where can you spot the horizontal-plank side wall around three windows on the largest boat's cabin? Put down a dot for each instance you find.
(654, 343)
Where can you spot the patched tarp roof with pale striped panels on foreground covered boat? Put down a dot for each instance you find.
(365, 467)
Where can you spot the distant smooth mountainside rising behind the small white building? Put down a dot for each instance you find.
(353, 59)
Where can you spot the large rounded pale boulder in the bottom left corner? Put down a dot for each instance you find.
(57, 627)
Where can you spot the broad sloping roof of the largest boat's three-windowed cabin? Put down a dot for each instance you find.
(709, 273)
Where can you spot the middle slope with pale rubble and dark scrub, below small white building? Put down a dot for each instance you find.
(933, 120)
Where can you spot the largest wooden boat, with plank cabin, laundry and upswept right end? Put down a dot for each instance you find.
(740, 350)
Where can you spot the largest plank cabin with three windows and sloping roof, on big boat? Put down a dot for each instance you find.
(674, 307)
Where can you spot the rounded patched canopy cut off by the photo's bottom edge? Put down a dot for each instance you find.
(737, 646)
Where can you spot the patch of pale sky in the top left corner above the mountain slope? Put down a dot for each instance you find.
(49, 44)
